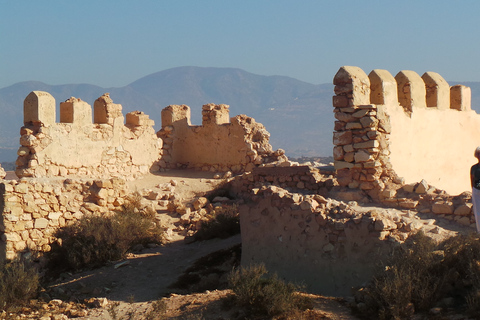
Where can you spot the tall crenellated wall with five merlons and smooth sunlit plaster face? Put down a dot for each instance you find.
(402, 129)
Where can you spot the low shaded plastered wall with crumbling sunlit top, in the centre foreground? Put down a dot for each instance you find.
(321, 242)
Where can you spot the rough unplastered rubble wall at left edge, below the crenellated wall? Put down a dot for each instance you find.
(34, 208)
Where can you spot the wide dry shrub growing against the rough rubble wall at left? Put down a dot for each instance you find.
(94, 240)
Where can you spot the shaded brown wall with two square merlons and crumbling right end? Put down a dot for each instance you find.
(219, 144)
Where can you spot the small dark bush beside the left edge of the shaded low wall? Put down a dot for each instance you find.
(224, 224)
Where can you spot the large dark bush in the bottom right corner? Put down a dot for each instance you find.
(420, 275)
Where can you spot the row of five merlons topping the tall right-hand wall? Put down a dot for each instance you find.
(353, 87)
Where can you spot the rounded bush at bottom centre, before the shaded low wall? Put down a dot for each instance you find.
(265, 295)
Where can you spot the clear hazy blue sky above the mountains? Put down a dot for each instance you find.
(113, 43)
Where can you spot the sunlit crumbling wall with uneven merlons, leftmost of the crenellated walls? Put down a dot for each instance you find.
(77, 147)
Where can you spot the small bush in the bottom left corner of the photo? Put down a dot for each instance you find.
(19, 282)
